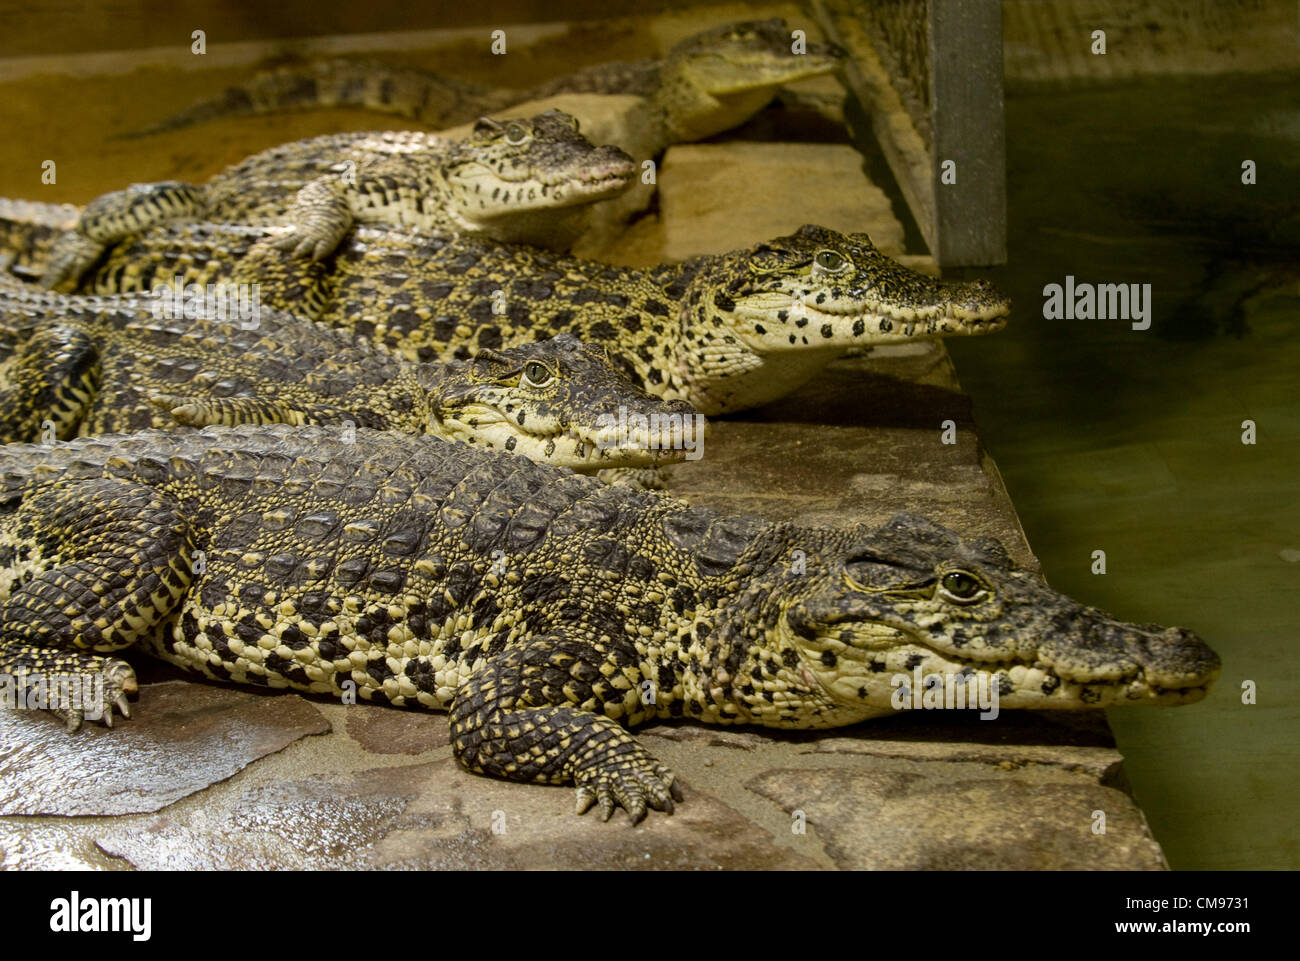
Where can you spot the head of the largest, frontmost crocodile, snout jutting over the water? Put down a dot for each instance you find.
(881, 603)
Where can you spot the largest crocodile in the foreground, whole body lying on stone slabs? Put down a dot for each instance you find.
(545, 612)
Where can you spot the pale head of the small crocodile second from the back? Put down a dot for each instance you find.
(517, 171)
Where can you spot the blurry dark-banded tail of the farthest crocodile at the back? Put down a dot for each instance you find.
(395, 90)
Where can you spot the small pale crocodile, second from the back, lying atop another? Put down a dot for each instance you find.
(514, 181)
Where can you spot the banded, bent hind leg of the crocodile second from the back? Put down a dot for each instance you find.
(114, 217)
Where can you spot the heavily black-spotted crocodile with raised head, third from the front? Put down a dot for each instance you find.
(723, 332)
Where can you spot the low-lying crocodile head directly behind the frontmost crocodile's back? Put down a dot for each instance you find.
(561, 402)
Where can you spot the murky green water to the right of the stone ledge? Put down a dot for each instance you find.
(1130, 443)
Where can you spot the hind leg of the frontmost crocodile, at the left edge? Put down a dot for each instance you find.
(88, 568)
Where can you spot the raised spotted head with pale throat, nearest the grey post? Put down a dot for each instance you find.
(762, 321)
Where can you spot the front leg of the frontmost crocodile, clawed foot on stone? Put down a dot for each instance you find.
(532, 715)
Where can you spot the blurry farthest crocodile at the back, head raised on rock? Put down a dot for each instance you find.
(705, 85)
